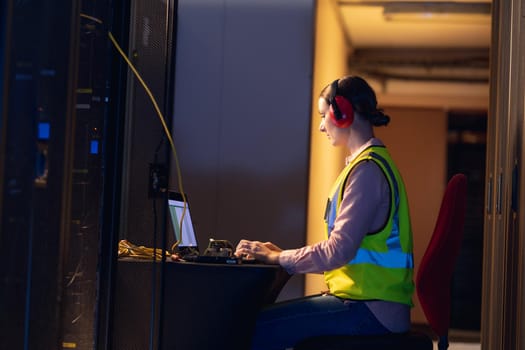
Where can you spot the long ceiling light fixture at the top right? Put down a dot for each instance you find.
(450, 12)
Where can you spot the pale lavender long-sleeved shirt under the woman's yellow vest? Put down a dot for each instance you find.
(364, 209)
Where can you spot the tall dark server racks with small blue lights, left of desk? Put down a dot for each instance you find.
(62, 116)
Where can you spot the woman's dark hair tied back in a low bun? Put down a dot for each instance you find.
(362, 97)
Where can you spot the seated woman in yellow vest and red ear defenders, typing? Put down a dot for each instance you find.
(367, 255)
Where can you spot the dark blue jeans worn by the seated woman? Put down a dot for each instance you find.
(284, 324)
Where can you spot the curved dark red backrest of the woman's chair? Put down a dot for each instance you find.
(434, 276)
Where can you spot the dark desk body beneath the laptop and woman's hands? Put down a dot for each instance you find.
(205, 306)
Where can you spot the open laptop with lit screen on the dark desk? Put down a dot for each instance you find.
(188, 248)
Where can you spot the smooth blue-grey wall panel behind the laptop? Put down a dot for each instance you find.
(242, 117)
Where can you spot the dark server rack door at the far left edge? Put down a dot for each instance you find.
(39, 50)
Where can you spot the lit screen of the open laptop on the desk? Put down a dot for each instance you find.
(176, 208)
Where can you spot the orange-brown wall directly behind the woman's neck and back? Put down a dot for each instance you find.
(417, 140)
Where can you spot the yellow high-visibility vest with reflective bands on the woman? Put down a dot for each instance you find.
(383, 266)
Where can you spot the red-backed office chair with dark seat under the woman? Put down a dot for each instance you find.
(432, 284)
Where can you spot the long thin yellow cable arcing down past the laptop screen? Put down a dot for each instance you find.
(161, 118)
